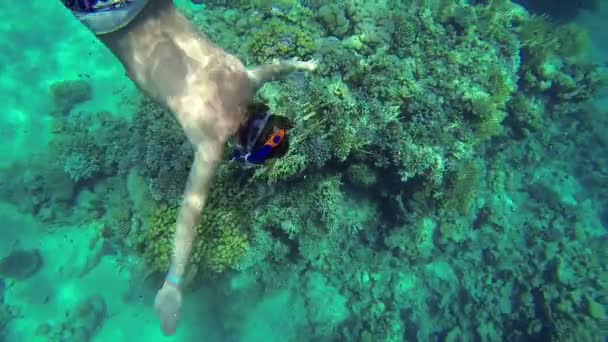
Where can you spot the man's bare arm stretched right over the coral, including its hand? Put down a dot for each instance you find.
(259, 75)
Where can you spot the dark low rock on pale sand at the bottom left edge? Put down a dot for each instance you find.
(80, 324)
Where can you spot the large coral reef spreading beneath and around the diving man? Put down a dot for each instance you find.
(437, 185)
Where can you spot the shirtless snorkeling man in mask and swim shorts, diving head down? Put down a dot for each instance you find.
(208, 91)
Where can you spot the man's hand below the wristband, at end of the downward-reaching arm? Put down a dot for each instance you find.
(168, 303)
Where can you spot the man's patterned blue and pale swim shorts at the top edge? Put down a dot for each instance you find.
(105, 16)
